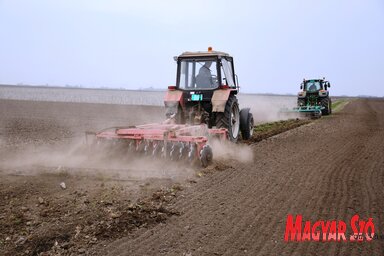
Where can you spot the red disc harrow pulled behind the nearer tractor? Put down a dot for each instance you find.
(174, 141)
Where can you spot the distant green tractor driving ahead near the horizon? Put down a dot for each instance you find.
(314, 97)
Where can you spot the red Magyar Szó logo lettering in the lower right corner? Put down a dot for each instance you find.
(329, 230)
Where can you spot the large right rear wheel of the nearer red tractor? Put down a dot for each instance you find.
(230, 118)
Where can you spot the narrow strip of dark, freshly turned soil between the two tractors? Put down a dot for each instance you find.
(264, 131)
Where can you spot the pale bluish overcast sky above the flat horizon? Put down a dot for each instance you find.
(131, 44)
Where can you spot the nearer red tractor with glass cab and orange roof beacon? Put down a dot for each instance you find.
(205, 92)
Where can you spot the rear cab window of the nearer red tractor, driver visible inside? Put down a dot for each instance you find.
(197, 74)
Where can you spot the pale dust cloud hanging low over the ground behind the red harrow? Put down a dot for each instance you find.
(79, 159)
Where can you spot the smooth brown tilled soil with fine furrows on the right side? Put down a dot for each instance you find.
(331, 169)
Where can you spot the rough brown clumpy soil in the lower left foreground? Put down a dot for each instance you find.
(74, 222)
